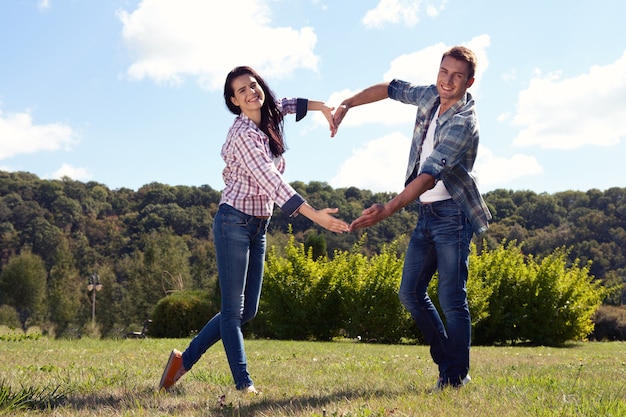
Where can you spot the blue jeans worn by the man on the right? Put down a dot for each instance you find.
(440, 242)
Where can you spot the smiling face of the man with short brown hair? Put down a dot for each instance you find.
(452, 81)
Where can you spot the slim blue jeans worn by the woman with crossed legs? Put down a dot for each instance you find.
(240, 251)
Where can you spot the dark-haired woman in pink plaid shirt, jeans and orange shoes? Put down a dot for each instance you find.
(253, 153)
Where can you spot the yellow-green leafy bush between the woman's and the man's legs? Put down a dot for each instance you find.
(351, 295)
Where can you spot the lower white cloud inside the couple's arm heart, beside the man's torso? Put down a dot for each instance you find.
(379, 166)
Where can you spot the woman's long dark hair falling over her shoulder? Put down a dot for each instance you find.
(271, 117)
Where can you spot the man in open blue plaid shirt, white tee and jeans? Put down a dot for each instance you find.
(451, 209)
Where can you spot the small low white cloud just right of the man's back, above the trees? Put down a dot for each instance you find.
(491, 170)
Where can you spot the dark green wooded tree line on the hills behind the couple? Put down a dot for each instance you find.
(145, 244)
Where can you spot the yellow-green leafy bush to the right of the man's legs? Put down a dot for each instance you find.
(545, 302)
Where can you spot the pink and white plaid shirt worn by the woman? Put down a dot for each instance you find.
(253, 176)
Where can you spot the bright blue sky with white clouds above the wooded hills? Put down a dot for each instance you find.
(127, 92)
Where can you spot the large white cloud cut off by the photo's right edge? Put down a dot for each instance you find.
(567, 113)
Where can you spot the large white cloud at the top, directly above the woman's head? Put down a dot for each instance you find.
(198, 38)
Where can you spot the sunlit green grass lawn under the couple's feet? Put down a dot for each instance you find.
(91, 377)
